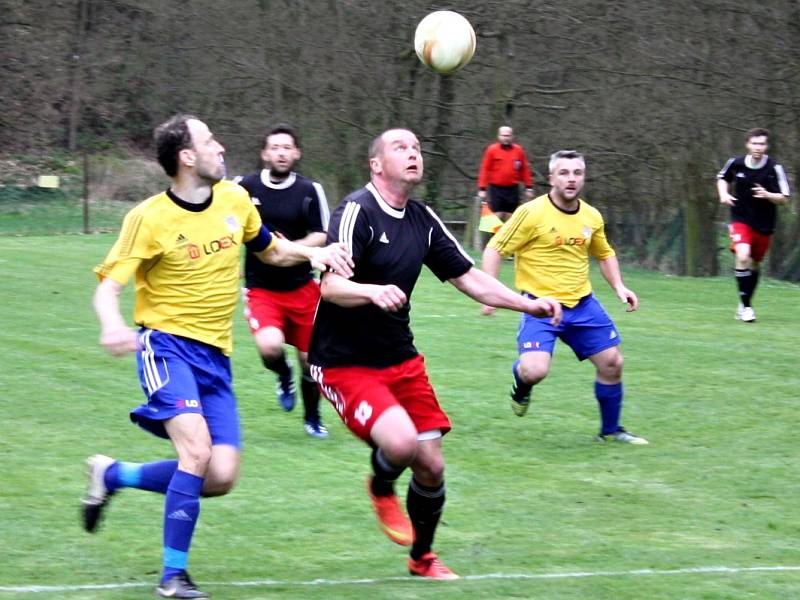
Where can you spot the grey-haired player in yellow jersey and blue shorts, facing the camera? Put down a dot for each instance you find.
(551, 238)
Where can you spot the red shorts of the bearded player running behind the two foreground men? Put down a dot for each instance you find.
(292, 312)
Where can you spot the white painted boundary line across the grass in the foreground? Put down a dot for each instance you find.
(44, 589)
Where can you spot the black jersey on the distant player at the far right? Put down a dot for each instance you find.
(758, 213)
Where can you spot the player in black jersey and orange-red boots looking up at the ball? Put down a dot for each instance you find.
(362, 349)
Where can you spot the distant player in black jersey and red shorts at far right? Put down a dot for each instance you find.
(759, 185)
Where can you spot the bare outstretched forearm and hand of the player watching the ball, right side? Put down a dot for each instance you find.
(486, 289)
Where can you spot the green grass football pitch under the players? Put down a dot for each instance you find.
(535, 508)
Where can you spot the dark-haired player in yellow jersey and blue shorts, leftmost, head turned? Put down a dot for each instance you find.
(183, 247)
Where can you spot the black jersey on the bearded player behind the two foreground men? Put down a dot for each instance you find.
(294, 207)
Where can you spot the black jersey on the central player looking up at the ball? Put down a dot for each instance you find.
(389, 247)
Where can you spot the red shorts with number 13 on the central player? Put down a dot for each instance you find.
(361, 394)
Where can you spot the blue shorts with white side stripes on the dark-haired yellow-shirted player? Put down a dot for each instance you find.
(179, 376)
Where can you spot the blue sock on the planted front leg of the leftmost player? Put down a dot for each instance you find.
(181, 511)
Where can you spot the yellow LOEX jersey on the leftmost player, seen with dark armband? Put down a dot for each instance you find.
(186, 259)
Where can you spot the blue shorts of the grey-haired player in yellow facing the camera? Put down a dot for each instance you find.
(586, 328)
